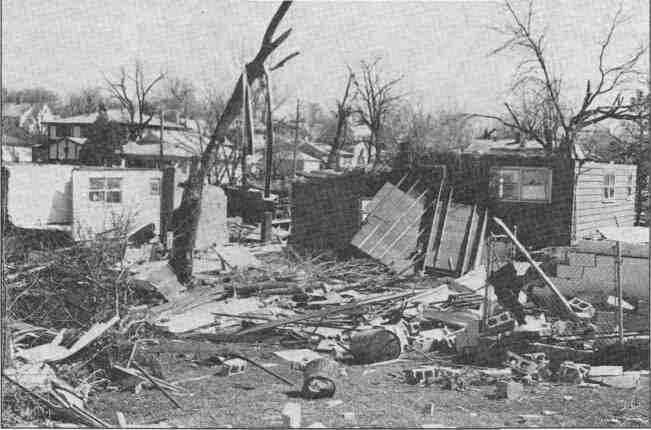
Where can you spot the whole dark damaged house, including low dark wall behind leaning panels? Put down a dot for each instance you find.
(547, 200)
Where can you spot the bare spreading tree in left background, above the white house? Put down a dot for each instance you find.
(135, 102)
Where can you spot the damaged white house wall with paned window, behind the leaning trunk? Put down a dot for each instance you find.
(86, 201)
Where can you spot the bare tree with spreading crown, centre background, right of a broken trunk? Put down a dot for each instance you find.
(377, 98)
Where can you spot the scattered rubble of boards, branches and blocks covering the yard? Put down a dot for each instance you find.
(506, 326)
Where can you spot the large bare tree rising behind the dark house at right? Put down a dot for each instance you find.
(543, 114)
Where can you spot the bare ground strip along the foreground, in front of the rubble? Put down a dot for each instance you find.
(377, 396)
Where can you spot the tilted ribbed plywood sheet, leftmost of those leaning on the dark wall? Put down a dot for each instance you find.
(392, 227)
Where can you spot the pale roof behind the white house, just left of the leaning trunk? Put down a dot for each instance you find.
(176, 143)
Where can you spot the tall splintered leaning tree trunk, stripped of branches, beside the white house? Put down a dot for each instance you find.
(187, 215)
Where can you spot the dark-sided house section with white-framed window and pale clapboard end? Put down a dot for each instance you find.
(549, 199)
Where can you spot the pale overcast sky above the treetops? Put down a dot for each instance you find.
(440, 47)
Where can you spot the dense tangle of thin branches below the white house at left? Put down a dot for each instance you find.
(69, 287)
